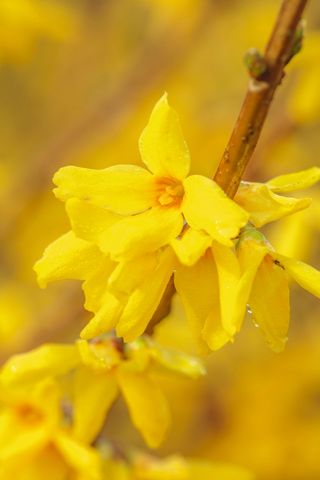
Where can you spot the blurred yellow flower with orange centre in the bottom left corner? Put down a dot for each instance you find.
(35, 441)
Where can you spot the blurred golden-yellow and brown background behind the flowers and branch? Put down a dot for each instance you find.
(78, 79)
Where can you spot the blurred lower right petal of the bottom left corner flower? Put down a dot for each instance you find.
(82, 458)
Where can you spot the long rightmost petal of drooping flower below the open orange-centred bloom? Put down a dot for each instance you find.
(145, 299)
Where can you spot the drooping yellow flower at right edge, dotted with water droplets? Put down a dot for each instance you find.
(265, 285)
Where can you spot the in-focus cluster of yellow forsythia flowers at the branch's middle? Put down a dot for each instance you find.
(133, 229)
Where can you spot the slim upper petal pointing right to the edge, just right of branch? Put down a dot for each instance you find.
(295, 181)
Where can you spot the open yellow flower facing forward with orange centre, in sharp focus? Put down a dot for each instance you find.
(138, 210)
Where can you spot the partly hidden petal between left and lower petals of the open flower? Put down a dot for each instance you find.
(88, 221)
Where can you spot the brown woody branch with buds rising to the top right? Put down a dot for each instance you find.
(260, 93)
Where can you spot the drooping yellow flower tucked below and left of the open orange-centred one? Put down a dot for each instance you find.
(122, 295)
